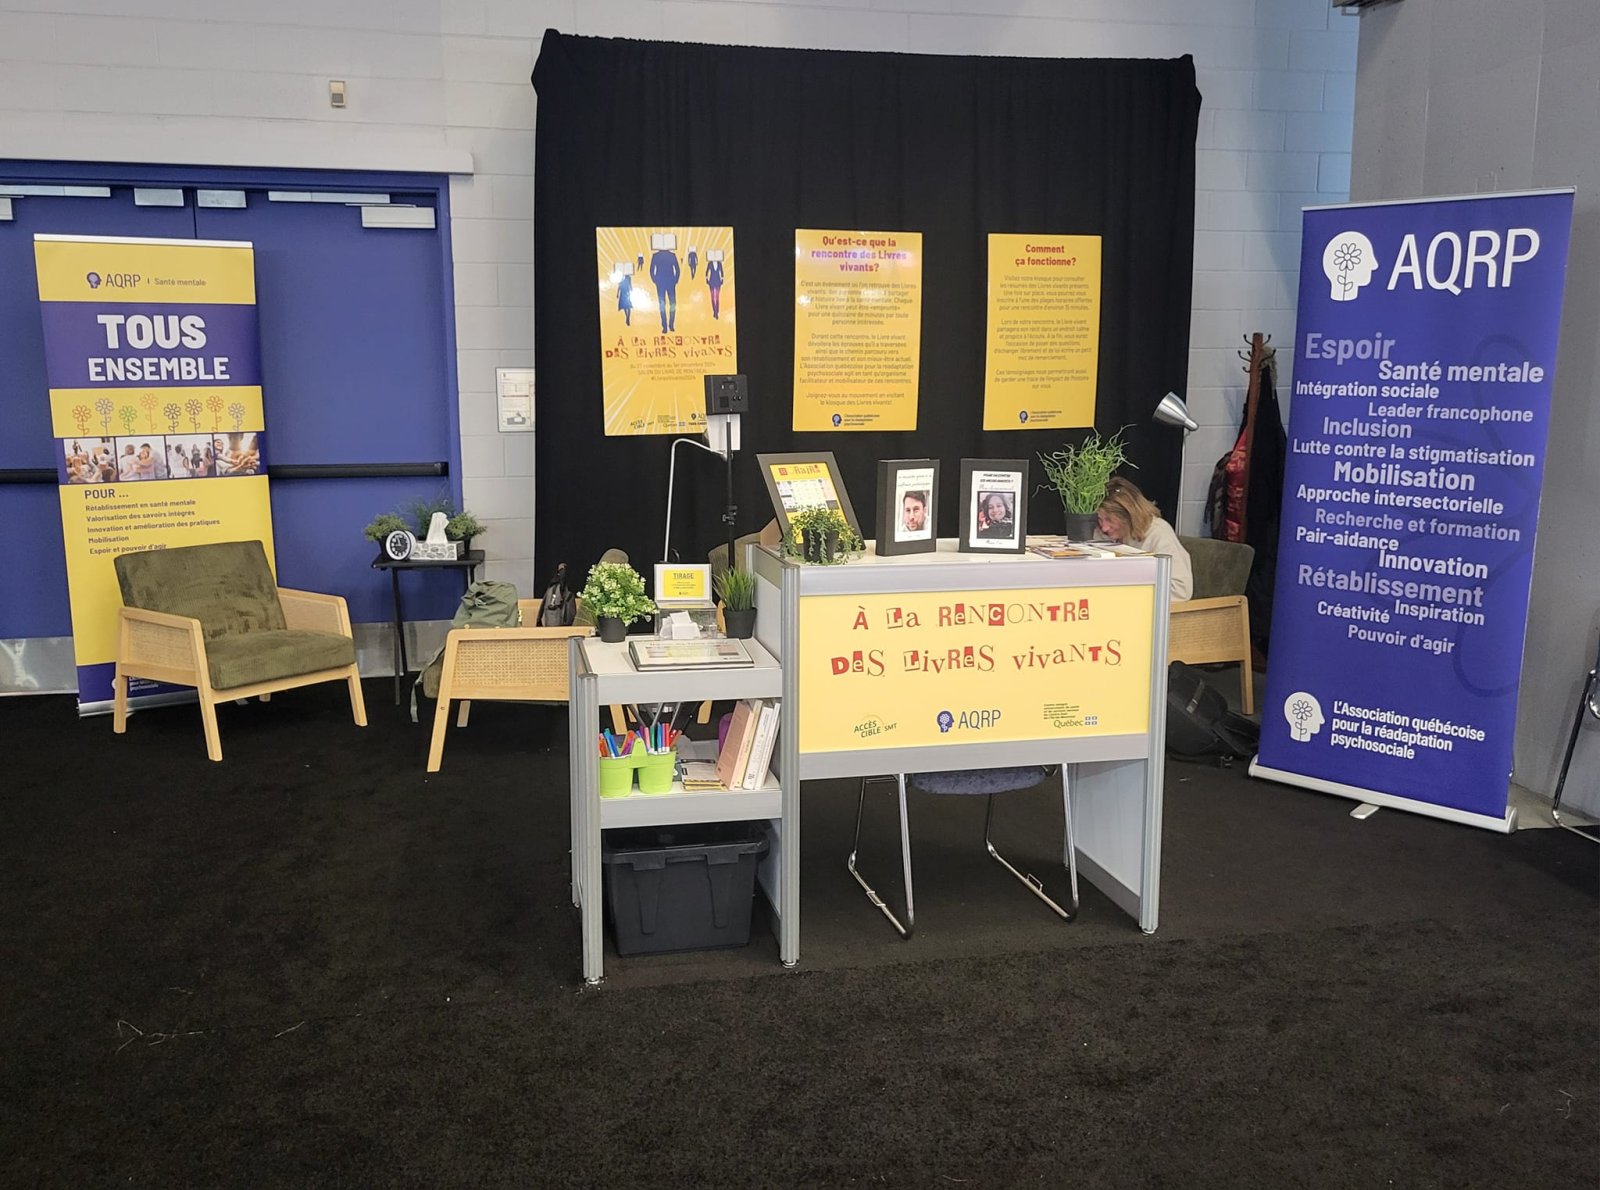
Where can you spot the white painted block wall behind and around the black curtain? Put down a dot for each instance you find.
(436, 81)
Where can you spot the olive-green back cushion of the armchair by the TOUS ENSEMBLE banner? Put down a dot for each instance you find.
(226, 586)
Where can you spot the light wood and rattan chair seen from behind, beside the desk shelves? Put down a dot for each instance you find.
(526, 665)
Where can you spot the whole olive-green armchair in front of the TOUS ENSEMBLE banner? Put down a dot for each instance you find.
(214, 618)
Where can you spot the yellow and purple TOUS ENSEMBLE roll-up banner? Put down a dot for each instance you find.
(154, 372)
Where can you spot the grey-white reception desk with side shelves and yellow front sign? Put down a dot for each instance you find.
(913, 665)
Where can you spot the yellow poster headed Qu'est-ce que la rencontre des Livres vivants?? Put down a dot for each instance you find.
(858, 330)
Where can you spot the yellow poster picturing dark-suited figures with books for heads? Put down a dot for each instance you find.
(668, 321)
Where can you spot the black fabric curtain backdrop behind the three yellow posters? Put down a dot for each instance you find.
(646, 134)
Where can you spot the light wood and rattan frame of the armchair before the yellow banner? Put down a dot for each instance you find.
(172, 649)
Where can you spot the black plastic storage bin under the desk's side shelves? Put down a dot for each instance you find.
(682, 889)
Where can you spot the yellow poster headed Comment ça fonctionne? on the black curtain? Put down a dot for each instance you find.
(1042, 361)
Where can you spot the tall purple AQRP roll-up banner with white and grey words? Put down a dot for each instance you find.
(1425, 357)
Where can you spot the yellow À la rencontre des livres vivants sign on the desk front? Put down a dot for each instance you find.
(974, 668)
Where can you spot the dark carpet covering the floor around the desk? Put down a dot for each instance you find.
(313, 965)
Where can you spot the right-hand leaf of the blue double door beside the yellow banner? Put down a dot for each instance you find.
(356, 370)
